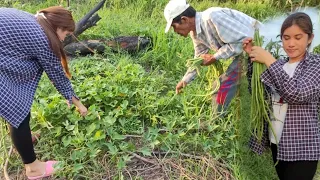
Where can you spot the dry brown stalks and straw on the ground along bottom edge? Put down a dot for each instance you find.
(159, 166)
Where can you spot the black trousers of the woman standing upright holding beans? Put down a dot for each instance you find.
(294, 170)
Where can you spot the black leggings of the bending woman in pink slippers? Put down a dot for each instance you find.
(22, 140)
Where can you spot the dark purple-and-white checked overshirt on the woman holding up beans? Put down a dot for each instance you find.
(300, 138)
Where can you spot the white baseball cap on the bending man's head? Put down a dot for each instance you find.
(173, 9)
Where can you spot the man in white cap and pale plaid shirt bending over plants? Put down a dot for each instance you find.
(218, 29)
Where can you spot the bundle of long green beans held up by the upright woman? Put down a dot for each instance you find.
(259, 105)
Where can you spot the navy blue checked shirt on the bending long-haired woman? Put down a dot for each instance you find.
(24, 55)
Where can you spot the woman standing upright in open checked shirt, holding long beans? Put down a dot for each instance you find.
(293, 84)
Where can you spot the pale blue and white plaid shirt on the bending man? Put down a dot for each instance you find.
(222, 30)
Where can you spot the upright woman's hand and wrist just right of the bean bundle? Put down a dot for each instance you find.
(258, 54)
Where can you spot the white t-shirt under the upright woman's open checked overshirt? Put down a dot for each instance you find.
(280, 107)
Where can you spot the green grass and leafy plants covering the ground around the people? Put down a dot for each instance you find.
(137, 127)
